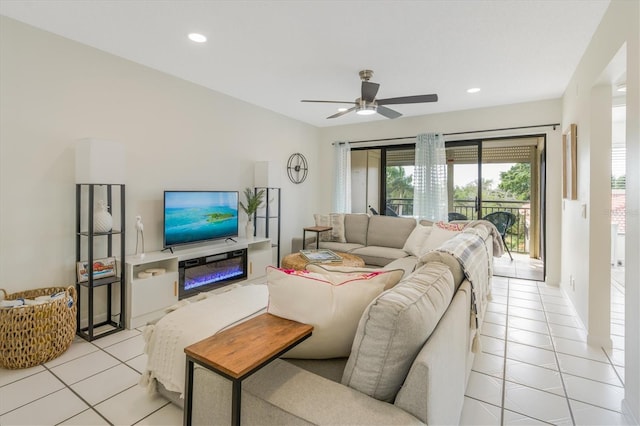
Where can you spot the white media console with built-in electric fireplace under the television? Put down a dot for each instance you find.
(147, 298)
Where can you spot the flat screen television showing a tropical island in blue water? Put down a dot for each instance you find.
(197, 216)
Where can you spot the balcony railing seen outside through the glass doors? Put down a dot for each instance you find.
(517, 237)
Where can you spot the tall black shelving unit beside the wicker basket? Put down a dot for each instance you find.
(90, 239)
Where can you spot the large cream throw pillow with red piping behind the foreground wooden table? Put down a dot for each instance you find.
(332, 305)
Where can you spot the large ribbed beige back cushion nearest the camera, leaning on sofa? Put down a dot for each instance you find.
(393, 329)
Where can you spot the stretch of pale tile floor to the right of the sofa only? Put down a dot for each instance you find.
(535, 366)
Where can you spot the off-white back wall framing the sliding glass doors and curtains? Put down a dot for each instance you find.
(526, 114)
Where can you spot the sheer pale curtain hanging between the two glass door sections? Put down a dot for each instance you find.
(430, 178)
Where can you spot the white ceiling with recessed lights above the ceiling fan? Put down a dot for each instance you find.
(275, 53)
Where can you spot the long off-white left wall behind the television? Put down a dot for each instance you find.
(177, 135)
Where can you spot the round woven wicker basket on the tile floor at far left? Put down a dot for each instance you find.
(33, 334)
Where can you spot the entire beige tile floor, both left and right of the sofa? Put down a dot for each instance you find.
(534, 368)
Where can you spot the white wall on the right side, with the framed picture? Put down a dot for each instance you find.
(584, 240)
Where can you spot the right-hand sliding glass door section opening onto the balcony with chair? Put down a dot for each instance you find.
(487, 176)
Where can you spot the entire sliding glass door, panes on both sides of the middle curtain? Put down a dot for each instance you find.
(484, 176)
